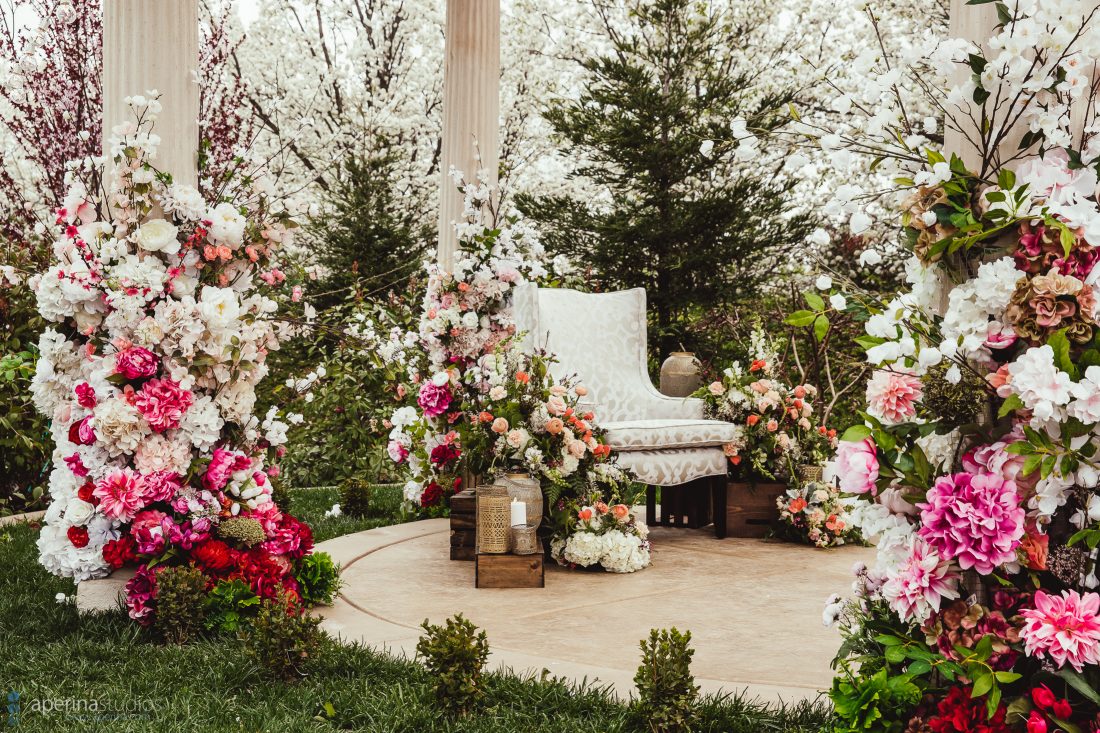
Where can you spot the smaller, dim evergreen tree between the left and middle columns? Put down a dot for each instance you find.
(369, 239)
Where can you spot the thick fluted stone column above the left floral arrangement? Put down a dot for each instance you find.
(155, 45)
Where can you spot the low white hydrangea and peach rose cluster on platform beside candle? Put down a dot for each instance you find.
(592, 533)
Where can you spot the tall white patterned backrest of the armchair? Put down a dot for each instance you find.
(601, 337)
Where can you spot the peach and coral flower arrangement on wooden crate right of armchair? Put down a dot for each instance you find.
(776, 429)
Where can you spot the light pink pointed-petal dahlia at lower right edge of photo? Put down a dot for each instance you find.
(1064, 629)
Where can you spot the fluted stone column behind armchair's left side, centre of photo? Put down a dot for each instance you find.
(471, 106)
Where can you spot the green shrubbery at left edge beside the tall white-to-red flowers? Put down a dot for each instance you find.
(25, 439)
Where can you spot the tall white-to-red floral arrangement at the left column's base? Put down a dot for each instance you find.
(162, 313)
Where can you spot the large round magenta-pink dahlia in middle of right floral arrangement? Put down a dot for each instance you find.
(975, 520)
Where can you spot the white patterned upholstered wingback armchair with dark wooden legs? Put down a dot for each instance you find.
(666, 442)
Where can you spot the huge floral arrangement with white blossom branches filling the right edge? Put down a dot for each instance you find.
(975, 468)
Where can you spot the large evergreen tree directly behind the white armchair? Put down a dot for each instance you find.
(663, 134)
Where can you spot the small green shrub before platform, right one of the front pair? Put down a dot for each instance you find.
(668, 696)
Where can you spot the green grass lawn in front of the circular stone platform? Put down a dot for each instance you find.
(103, 674)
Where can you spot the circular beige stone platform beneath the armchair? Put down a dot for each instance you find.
(754, 608)
